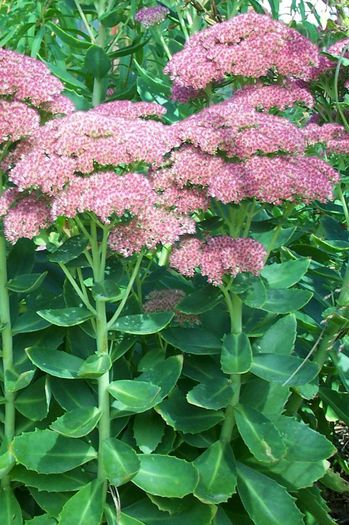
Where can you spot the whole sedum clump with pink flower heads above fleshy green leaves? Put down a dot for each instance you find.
(159, 380)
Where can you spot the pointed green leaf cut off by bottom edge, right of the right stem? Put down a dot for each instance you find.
(266, 502)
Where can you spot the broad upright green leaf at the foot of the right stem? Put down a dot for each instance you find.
(217, 474)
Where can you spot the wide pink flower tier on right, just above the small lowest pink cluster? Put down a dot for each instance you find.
(268, 179)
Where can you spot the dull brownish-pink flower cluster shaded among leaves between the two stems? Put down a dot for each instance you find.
(166, 301)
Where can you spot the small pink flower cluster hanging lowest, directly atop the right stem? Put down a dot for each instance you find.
(218, 256)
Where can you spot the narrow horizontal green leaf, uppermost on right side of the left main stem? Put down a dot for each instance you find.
(143, 324)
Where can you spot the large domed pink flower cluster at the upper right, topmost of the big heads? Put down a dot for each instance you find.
(248, 45)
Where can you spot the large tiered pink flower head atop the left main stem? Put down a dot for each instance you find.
(73, 160)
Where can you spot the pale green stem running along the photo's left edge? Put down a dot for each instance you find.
(7, 350)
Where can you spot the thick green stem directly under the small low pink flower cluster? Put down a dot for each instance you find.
(234, 306)
